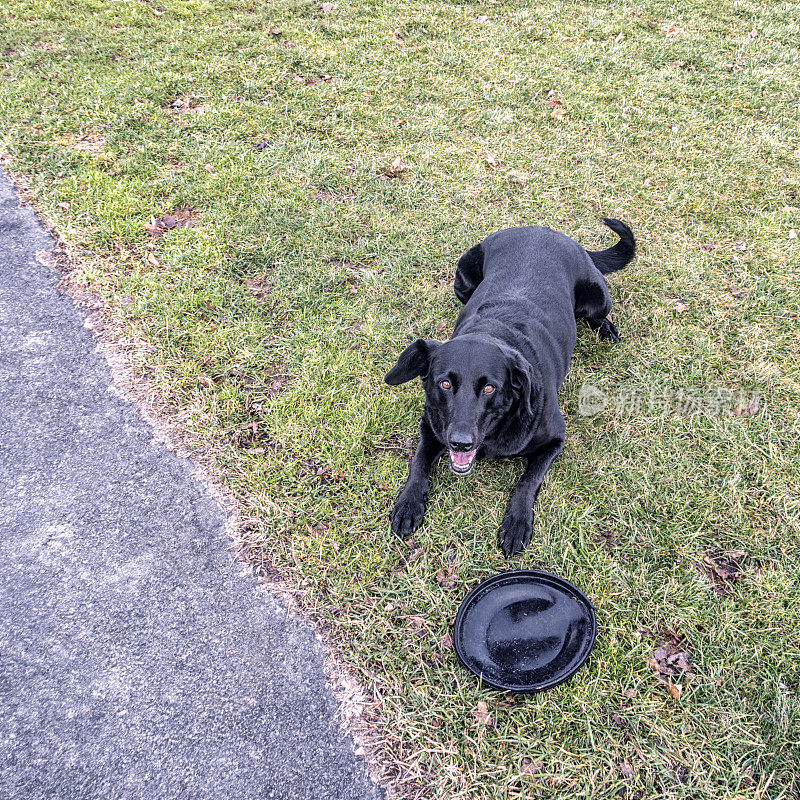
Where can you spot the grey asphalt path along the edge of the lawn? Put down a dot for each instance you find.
(136, 660)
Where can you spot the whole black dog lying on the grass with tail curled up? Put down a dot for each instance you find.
(491, 390)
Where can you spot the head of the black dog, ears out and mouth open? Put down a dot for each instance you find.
(471, 384)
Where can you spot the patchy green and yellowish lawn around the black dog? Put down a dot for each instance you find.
(266, 327)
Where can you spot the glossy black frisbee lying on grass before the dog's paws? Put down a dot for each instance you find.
(524, 631)
